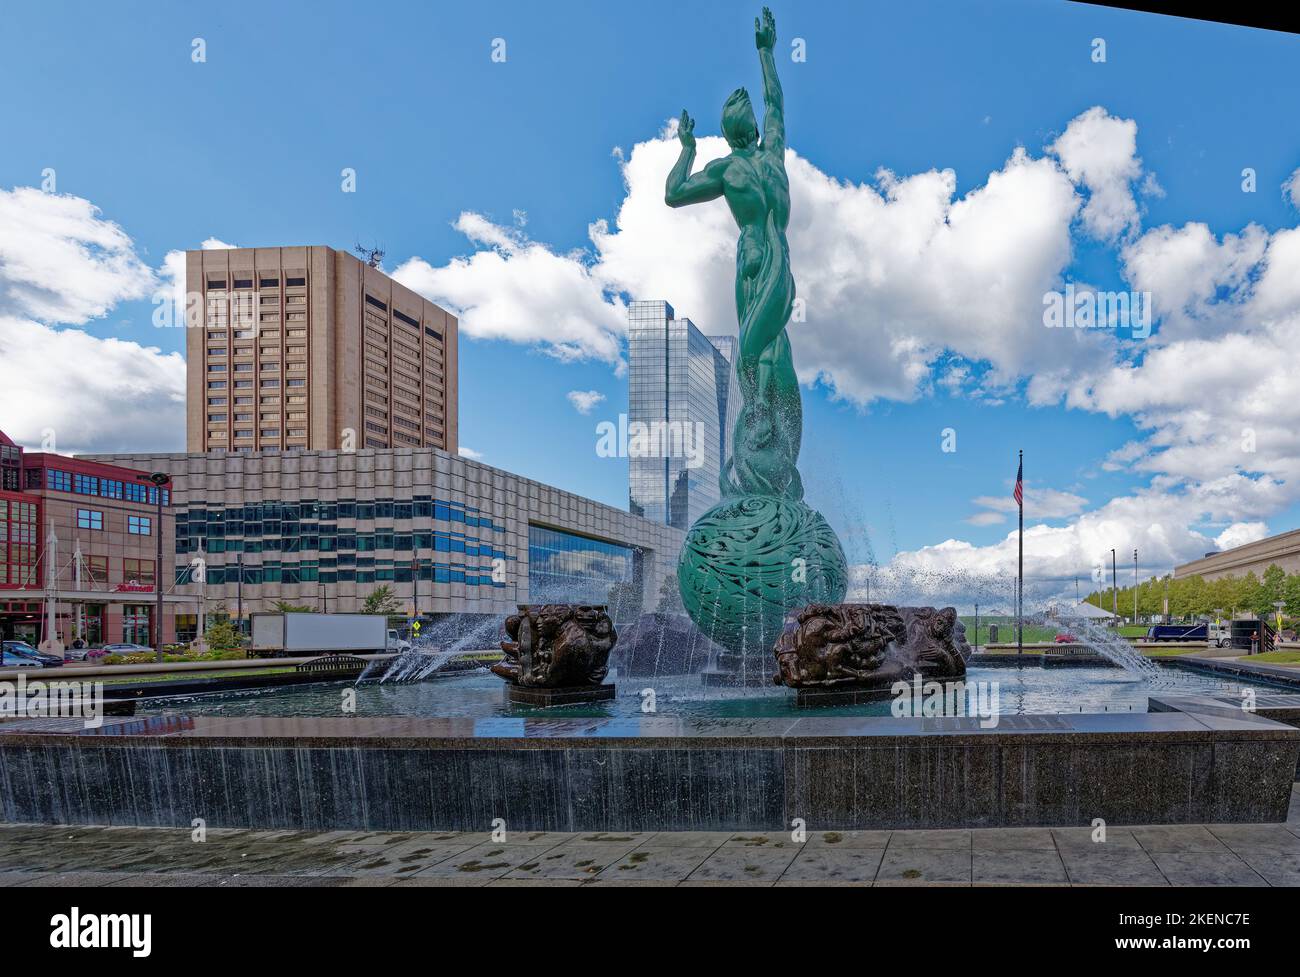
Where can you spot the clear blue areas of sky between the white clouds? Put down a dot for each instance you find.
(248, 149)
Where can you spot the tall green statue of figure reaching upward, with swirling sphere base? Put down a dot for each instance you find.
(761, 552)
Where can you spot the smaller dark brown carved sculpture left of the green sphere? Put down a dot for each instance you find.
(557, 646)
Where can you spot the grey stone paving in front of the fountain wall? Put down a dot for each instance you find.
(1158, 856)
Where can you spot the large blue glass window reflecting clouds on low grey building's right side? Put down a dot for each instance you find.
(569, 568)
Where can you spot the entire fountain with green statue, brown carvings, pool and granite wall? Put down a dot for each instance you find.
(760, 572)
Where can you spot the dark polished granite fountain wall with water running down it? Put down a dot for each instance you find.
(651, 774)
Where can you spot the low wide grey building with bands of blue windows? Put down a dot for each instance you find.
(449, 536)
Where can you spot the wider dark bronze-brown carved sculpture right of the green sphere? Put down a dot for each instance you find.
(869, 646)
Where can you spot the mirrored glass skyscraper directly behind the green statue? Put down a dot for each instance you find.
(683, 405)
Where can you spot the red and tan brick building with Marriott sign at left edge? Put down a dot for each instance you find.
(84, 533)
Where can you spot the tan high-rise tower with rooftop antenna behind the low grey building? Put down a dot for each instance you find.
(309, 348)
